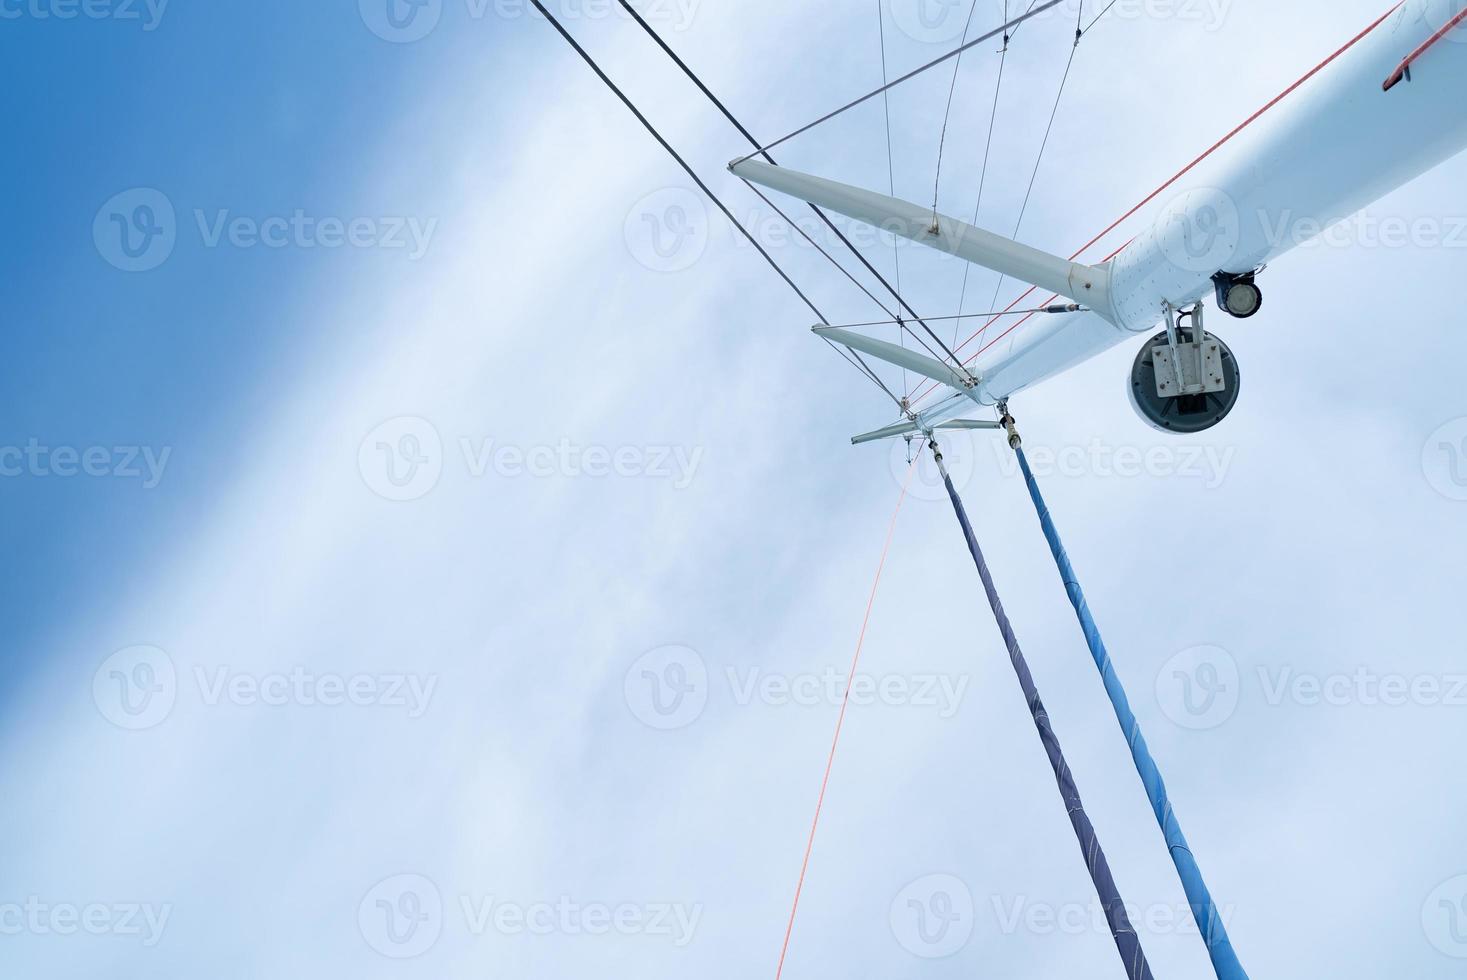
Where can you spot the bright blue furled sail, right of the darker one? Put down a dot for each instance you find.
(1224, 959)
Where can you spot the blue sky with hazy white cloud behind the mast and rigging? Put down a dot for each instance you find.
(428, 508)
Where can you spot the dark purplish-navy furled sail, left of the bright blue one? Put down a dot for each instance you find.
(1126, 940)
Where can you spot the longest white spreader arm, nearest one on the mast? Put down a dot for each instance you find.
(1088, 285)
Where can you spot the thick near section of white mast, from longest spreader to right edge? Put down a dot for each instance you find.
(1328, 150)
